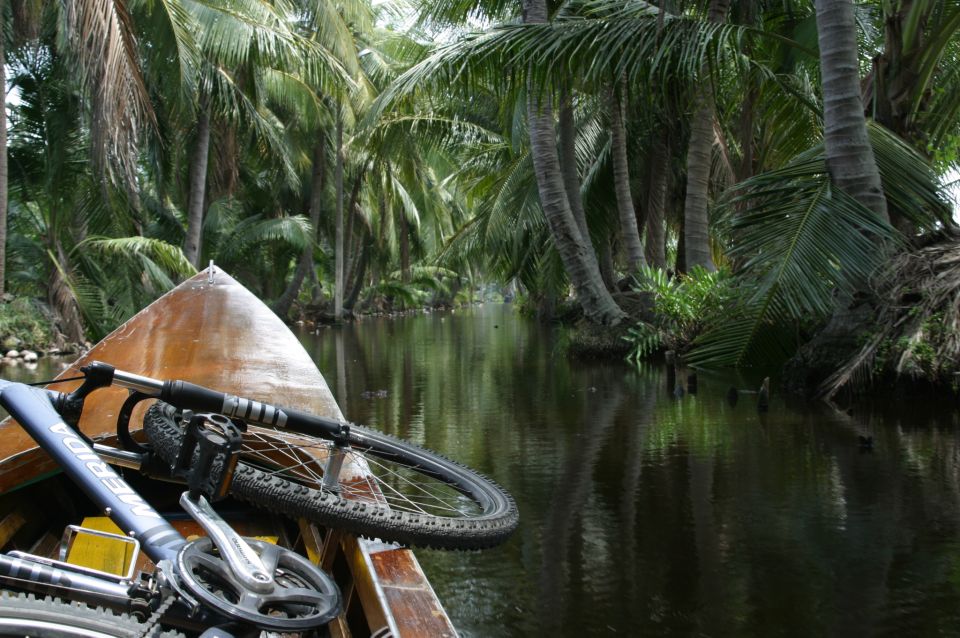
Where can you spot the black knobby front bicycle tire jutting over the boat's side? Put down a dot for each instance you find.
(477, 513)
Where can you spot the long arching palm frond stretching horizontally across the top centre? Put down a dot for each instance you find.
(605, 38)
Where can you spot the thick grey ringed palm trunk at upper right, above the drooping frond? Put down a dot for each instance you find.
(850, 159)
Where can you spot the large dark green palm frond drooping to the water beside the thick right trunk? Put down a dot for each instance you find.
(795, 241)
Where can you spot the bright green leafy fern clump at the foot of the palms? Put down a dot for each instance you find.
(683, 307)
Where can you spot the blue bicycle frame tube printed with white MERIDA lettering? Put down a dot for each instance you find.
(32, 410)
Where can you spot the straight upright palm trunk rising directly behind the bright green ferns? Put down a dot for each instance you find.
(696, 223)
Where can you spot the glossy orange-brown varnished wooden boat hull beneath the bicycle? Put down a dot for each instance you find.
(216, 333)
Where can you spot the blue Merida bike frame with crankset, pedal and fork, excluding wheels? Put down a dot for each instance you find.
(262, 583)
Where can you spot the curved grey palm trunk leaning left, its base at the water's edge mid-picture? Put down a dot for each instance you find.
(577, 254)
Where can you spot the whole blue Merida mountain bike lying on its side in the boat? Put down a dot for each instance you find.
(295, 463)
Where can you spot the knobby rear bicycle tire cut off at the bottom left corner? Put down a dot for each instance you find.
(27, 615)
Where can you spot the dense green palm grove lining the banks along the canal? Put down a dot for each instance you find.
(351, 157)
